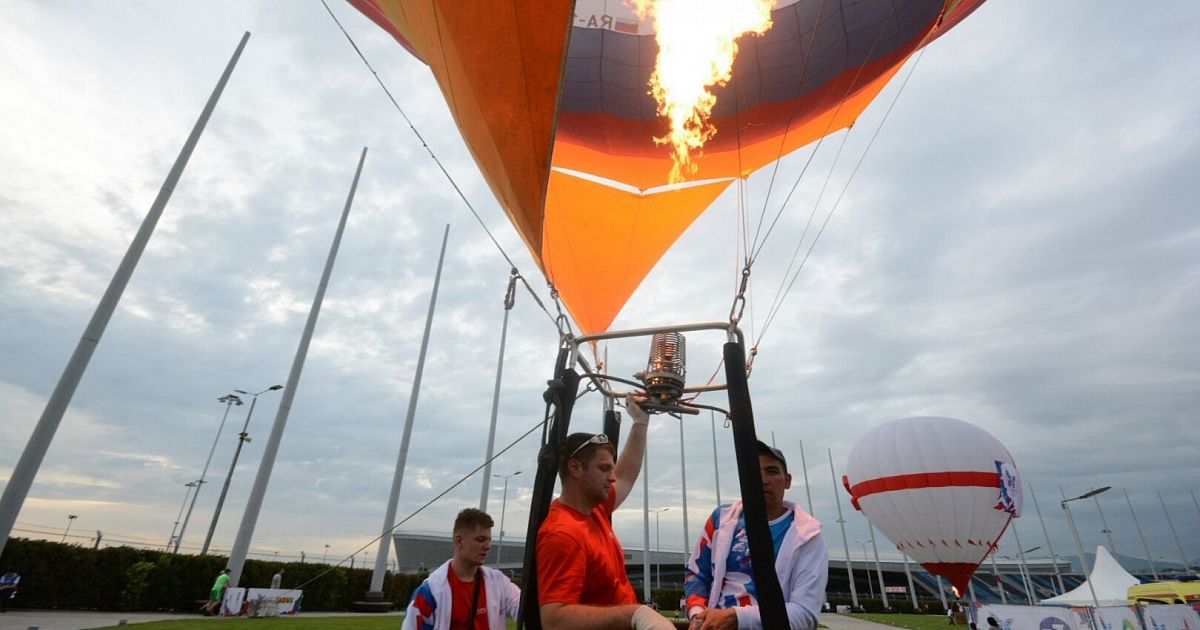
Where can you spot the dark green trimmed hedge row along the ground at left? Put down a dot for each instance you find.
(125, 579)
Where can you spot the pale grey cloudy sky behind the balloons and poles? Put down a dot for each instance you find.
(1018, 251)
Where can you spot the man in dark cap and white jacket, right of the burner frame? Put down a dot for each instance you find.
(721, 585)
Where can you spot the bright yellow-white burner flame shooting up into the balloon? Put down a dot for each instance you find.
(698, 44)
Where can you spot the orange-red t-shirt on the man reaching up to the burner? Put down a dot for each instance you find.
(580, 560)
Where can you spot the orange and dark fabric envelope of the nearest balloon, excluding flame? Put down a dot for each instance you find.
(553, 99)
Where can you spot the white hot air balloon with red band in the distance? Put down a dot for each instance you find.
(941, 489)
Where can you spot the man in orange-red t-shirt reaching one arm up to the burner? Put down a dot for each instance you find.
(581, 566)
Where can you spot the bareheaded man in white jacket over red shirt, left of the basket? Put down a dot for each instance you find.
(463, 593)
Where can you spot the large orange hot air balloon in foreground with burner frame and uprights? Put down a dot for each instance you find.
(555, 101)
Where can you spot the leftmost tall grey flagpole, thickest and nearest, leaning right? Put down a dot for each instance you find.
(23, 475)
